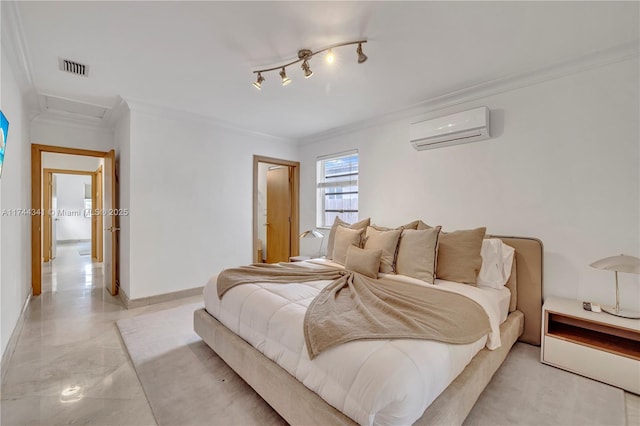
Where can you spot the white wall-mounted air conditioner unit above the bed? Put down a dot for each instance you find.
(454, 129)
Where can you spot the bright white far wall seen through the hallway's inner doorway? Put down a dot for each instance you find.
(70, 192)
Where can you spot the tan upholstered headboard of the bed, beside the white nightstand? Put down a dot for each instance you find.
(529, 281)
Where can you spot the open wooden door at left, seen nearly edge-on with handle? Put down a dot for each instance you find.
(111, 223)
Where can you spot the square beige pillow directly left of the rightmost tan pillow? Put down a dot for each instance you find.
(417, 253)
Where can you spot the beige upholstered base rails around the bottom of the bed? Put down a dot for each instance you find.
(299, 405)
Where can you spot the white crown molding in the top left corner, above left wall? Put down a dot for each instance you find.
(14, 43)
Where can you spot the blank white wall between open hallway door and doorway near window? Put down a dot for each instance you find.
(190, 199)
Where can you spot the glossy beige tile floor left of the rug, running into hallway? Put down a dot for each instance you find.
(70, 365)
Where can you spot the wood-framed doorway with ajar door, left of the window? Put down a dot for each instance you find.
(275, 209)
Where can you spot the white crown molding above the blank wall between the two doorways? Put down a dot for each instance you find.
(164, 111)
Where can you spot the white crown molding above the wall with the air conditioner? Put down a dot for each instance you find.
(620, 53)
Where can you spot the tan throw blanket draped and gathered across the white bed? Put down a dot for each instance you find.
(356, 307)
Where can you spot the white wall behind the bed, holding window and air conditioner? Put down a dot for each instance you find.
(563, 166)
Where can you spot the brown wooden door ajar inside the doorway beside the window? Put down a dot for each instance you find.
(278, 214)
